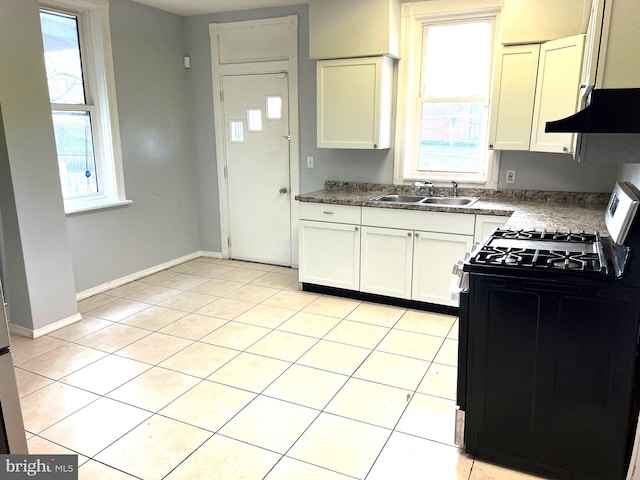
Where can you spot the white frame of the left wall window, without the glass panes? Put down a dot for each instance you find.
(100, 101)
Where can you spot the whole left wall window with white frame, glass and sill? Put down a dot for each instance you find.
(79, 76)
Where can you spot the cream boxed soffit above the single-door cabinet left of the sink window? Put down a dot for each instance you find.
(354, 28)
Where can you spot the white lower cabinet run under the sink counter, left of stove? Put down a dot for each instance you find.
(398, 253)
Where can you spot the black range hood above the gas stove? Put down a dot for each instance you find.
(611, 110)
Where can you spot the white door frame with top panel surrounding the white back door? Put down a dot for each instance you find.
(282, 59)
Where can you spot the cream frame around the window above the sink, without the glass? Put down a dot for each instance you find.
(415, 17)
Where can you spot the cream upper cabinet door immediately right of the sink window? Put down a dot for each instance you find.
(514, 91)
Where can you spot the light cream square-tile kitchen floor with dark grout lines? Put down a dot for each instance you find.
(218, 369)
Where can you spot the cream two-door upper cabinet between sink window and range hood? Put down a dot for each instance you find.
(535, 84)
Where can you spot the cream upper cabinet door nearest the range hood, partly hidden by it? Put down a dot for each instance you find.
(557, 92)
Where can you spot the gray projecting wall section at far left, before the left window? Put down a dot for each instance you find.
(38, 275)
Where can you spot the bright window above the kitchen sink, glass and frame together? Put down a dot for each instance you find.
(446, 96)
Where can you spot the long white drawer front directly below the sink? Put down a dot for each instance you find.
(461, 223)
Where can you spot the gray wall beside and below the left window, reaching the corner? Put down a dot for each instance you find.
(160, 168)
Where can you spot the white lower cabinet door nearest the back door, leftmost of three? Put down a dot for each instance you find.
(330, 254)
